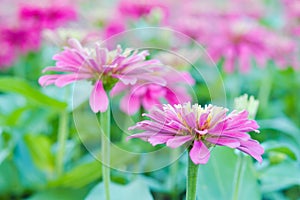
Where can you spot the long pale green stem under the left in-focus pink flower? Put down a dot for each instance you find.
(105, 136)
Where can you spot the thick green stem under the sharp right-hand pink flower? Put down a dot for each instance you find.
(192, 175)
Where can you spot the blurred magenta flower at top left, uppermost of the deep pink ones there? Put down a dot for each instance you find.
(47, 17)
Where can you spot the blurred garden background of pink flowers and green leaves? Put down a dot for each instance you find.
(250, 46)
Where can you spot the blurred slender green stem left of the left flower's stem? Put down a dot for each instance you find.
(62, 137)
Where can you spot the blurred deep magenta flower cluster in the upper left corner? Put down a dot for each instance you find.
(21, 32)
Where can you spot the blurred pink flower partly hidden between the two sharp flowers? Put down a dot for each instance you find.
(147, 95)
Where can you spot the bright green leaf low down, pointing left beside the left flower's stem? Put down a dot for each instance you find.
(79, 176)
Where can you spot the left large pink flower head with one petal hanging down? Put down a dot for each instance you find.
(104, 68)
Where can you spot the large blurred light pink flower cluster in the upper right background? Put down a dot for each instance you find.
(232, 31)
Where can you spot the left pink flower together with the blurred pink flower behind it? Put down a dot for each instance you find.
(146, 80)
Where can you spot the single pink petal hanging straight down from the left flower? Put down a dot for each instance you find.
(98, 99)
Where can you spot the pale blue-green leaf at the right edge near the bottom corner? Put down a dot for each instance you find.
(281, 176)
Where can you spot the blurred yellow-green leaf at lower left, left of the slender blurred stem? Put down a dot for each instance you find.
(40, 151)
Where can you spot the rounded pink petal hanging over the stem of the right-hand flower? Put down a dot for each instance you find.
(199, 153)
